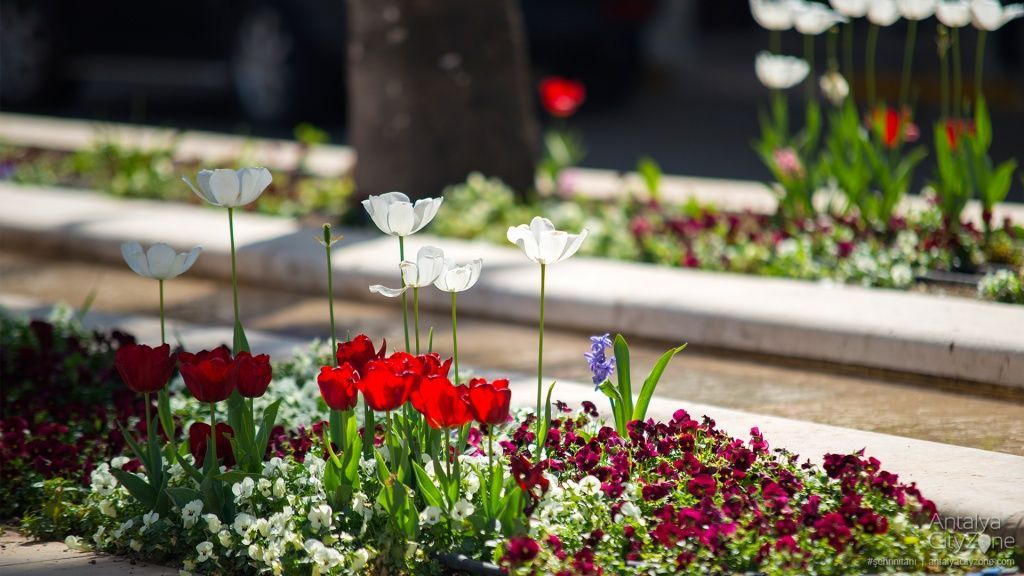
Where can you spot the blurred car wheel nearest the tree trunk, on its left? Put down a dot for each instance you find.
(263, 65)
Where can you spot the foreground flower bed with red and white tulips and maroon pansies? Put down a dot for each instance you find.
(363, 458)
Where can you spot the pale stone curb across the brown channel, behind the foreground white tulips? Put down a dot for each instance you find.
(950, 339)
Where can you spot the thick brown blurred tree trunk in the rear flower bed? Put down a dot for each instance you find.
(439, 90)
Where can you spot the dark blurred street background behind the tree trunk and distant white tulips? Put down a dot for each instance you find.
(670, 79)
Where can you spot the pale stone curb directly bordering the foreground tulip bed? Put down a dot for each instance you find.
(967, 485)
